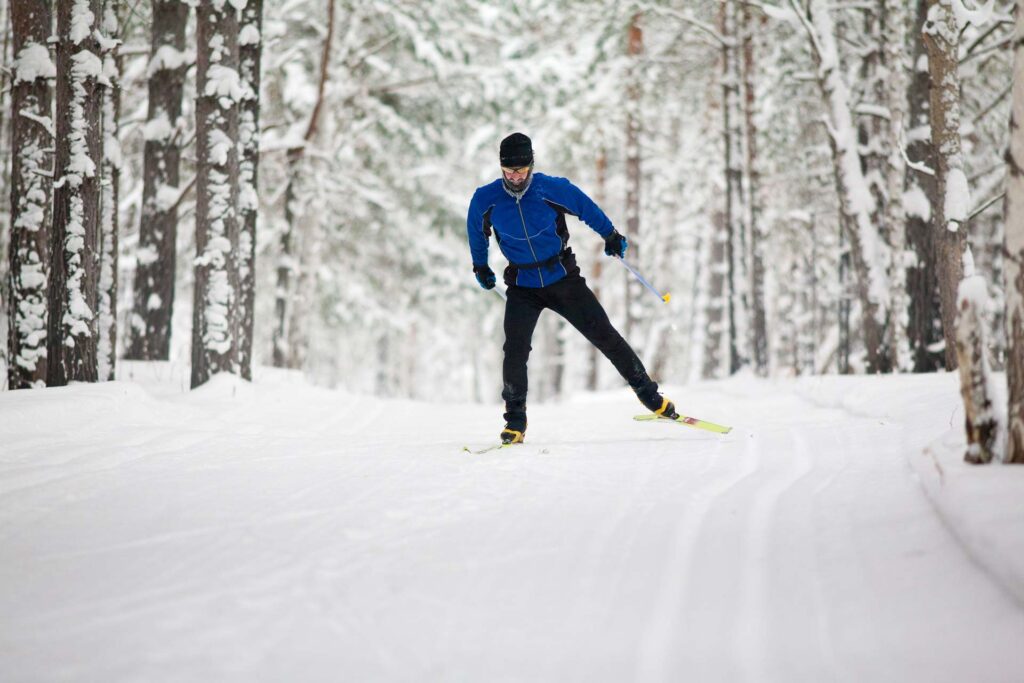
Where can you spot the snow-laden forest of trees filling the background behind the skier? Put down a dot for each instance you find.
(824, 188)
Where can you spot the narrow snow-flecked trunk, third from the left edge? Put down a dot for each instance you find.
(110, 196)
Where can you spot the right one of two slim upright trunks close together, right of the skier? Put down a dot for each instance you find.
(752, 174)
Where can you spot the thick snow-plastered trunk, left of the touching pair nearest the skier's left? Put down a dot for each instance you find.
(219, 90)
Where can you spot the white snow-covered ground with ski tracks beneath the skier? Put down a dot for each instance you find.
(281, 533)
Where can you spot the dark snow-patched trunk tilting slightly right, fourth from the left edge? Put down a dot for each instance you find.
(153, 302)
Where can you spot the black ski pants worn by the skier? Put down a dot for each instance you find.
(572, 300)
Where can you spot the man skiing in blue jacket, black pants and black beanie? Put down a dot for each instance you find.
(527, 214)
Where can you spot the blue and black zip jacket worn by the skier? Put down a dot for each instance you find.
(531, 229)
